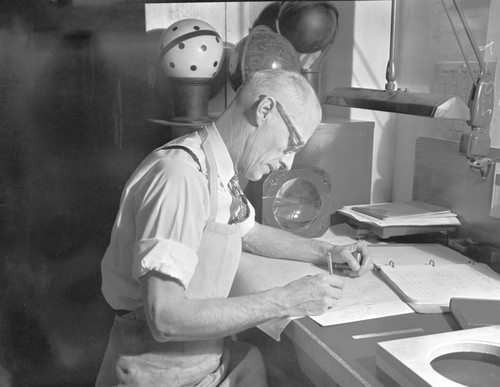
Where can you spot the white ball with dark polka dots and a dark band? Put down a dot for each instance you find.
(191, 48)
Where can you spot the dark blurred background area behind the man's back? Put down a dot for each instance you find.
(74, 94)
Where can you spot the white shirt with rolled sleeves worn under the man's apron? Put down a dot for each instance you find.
(163, 211)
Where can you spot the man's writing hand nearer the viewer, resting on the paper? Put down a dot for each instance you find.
(311, 295)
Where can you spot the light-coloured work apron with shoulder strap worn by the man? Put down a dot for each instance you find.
(134, 358)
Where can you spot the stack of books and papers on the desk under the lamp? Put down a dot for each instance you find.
(401, 218)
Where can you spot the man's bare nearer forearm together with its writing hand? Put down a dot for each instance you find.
(182, 319)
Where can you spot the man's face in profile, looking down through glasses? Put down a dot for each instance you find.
(273, 145)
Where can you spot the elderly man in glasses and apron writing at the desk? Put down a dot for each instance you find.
(177, 240)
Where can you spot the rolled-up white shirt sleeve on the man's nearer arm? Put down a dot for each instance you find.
(172, 207)
